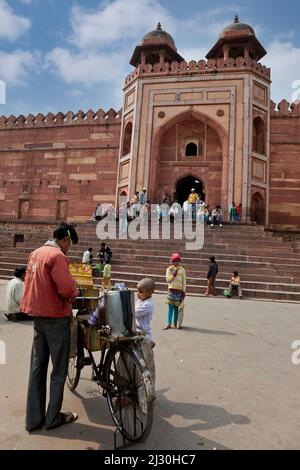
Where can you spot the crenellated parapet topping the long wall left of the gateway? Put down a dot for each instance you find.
(61, 119)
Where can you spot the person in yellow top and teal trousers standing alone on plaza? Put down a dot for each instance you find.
(176, 279)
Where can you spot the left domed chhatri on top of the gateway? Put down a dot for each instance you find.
(157, 46)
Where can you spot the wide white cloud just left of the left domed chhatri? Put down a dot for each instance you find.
(86, 67)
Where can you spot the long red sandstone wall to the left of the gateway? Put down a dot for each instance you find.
(67, 158)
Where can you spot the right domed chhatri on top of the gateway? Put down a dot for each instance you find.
(237, 40)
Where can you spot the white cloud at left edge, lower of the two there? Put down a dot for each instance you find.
(17, 65)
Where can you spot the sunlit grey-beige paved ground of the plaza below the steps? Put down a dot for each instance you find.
(226, 381)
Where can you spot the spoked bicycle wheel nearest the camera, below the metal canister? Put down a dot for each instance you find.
(127, 395)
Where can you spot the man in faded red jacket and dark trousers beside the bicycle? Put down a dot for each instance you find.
(48, 295)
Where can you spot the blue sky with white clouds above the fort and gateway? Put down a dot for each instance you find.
(61, 55)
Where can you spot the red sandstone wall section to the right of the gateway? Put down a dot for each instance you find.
(285, 165)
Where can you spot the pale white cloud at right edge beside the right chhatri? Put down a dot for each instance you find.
(284, 60)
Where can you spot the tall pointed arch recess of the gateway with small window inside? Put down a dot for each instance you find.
(171, 162)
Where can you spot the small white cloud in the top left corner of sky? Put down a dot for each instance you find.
(11, 26)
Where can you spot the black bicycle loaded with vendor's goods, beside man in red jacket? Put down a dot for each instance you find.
(121, 373)
